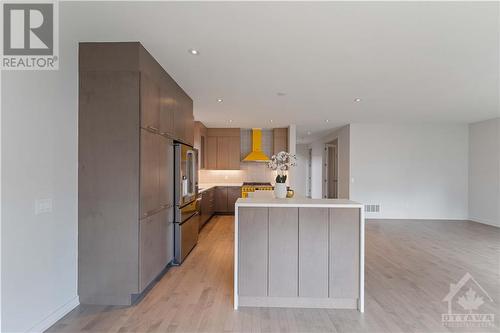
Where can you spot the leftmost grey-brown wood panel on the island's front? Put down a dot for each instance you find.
(253, 251)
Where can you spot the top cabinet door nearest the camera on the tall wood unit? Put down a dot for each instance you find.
(150, 103)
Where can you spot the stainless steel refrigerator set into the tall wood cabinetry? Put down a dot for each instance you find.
(187, 204)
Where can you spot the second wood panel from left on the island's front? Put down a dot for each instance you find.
(283, 252)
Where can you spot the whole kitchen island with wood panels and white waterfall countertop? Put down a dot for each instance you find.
(301, 252)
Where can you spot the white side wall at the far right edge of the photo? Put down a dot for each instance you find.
(484, 172)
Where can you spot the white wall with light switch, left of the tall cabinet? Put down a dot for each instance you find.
(39, 161)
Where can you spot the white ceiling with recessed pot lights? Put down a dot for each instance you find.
(407, 61)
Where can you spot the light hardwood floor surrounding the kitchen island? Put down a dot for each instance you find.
(409, 267)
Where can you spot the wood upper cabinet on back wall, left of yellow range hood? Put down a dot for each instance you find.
(223, 148)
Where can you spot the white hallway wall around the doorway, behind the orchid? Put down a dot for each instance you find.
(318, 156)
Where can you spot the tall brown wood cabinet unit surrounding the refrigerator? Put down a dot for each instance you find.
(130, 111)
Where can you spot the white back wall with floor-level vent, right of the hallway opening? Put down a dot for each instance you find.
(417, 171)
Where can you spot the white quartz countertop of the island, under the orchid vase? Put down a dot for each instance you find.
(295, 202)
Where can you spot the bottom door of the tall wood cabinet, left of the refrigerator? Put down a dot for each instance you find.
(152, 247)
